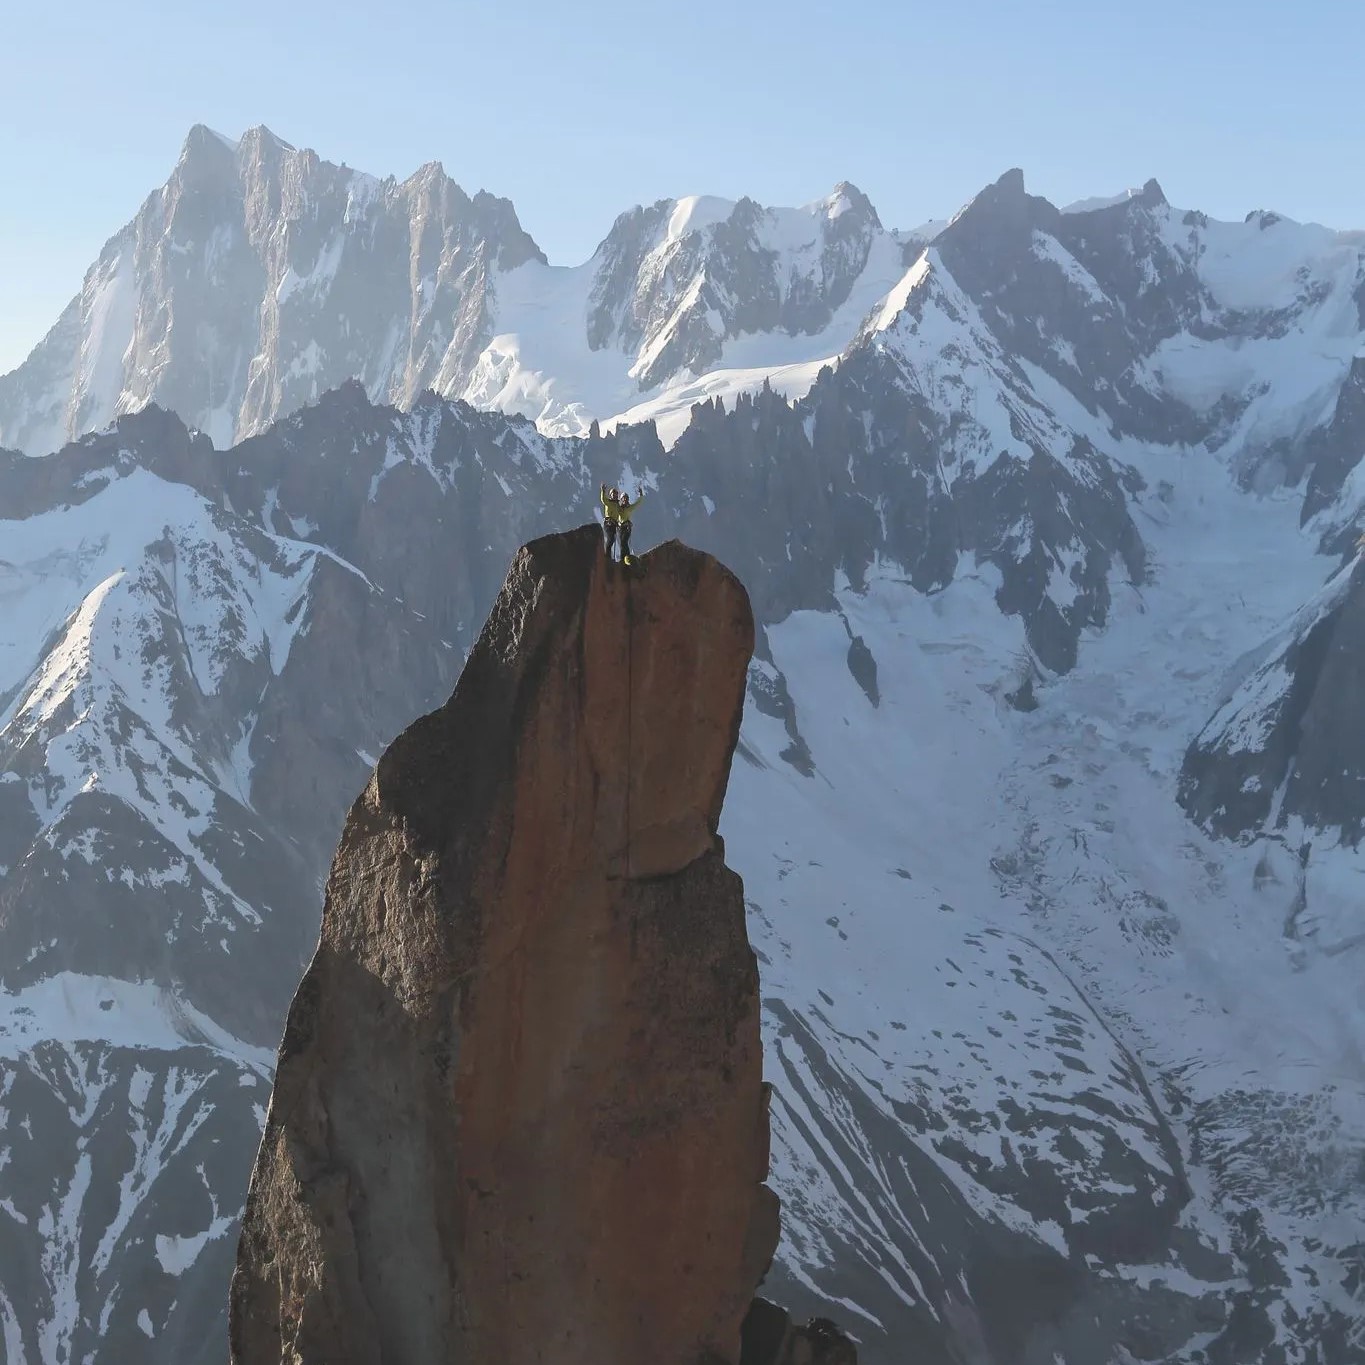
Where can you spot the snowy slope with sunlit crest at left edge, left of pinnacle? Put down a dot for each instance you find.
(94, 590)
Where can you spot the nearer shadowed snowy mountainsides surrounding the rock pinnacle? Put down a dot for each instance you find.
(1054, 585)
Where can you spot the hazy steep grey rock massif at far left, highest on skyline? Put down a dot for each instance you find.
(257, 278)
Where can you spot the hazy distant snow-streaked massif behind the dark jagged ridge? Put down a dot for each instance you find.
(261, 276)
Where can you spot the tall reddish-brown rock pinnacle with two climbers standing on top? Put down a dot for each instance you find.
(519, 1112)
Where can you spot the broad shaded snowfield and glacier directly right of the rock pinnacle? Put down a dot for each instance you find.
(967, 899)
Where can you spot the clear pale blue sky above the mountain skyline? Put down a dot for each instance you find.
(578, 111)
